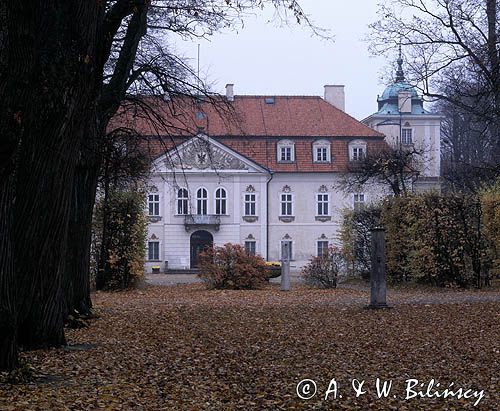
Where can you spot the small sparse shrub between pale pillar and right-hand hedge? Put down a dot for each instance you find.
(323, 271)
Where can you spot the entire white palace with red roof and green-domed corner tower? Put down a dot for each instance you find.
(264, 170)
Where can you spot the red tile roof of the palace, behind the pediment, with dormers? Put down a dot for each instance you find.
(253, 127)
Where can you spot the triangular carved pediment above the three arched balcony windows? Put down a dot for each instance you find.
(202, 153)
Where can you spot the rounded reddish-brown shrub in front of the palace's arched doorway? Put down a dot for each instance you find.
(231, 268)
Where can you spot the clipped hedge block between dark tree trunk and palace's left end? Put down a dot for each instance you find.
(121, 259)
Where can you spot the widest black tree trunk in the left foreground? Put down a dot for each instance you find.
(59, 37)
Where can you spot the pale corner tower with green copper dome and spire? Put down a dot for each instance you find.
(401, 116)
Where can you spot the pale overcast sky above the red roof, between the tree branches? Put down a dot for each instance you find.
(262, 58)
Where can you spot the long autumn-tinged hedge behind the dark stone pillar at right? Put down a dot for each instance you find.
(431, 238)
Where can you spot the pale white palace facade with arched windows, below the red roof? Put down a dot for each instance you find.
(203, 165)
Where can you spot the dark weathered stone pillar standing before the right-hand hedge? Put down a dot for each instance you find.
(377, 274)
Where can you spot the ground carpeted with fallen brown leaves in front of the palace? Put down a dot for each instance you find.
(187, 348)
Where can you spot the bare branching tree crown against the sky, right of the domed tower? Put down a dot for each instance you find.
(453, 53)
